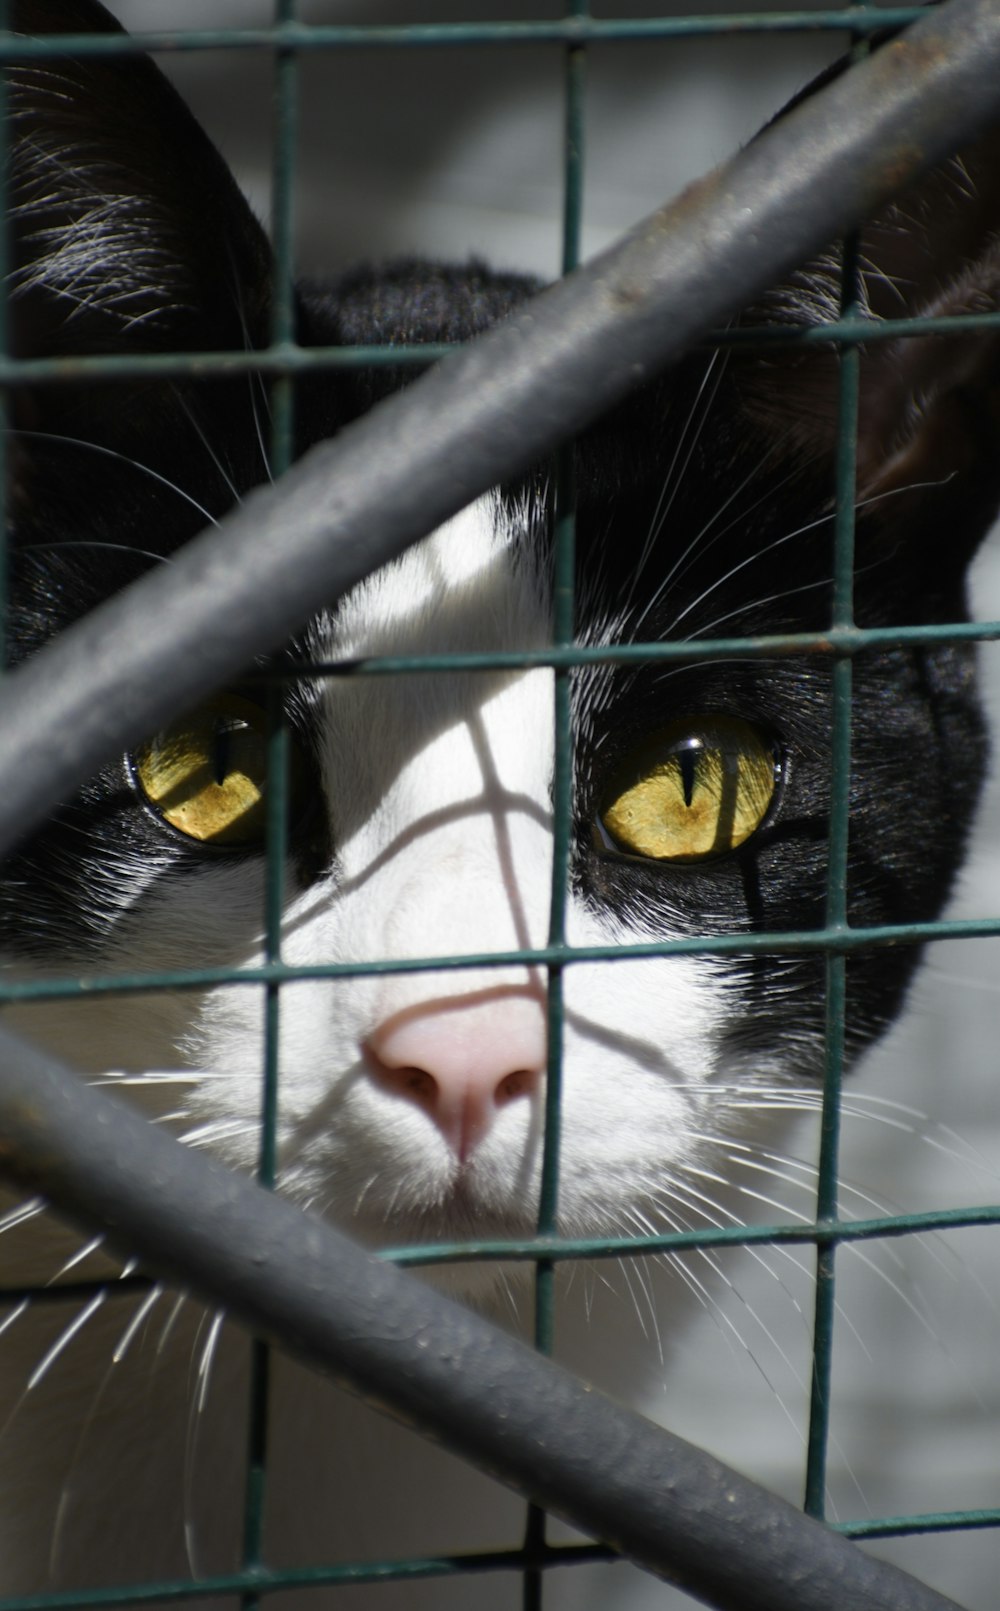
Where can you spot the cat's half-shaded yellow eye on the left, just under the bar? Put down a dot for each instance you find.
(207, 774)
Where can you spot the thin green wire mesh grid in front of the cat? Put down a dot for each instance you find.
(572, 35)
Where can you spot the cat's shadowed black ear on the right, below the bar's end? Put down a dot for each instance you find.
(928, 465)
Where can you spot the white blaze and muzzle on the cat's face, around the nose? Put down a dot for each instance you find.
(411, 1101)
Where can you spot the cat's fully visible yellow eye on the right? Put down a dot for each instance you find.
(693, 790)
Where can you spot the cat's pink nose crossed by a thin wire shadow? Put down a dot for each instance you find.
(463, 1059)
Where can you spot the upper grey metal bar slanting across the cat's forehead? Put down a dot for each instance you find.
(498, 405)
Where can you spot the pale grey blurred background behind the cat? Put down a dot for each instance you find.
(457, 152)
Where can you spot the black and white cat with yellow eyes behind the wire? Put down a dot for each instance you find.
(423, 810)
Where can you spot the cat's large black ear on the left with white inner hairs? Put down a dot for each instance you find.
(130, 236)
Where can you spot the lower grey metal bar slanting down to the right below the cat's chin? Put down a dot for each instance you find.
(428, 1360)
